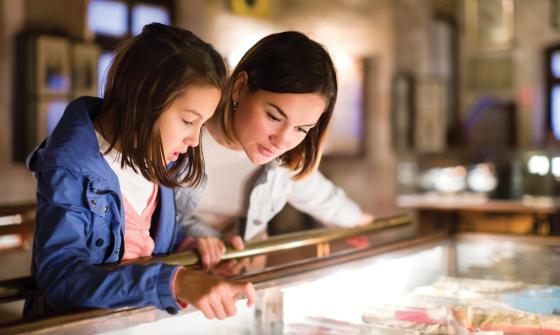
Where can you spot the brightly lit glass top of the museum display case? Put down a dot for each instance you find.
(498, 287)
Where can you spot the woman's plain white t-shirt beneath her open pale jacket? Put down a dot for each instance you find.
(231, 176)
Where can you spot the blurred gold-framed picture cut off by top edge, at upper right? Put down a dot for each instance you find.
(490, 23)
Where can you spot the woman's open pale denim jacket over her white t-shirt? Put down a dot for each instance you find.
(314, 195)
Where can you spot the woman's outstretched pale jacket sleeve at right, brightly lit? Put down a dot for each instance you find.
(320, 198)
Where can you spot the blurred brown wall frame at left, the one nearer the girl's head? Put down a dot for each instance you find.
(85, 61)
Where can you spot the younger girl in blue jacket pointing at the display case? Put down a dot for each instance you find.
(103, 183)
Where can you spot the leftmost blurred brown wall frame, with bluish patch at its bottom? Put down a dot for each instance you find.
(52, 65)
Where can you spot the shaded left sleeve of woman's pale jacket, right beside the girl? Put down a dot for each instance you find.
(186, 201)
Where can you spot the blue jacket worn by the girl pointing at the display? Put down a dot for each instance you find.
(80, 224)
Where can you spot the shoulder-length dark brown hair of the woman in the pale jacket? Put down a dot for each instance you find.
(287, 62)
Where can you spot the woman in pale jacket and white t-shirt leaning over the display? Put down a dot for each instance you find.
(263, 146)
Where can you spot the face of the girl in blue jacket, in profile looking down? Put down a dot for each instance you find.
(180, 124)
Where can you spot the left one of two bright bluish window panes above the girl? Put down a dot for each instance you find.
(108, 17)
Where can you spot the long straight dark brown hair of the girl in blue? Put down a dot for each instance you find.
(147, 74)
